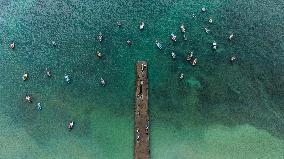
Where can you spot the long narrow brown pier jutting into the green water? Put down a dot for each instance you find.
(141, 129)
